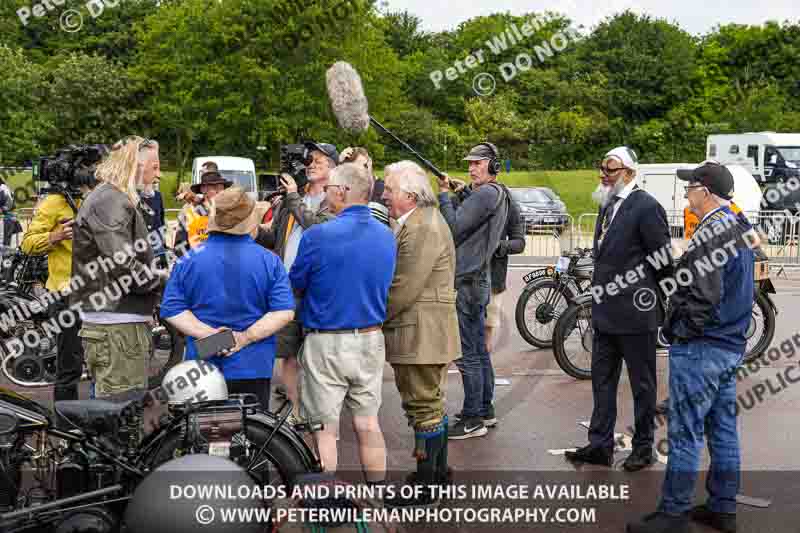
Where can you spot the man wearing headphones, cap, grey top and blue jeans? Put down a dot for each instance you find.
(477, 217)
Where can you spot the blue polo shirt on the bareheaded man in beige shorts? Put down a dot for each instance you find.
(344, 269)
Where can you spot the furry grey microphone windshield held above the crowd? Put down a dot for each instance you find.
(347, 97)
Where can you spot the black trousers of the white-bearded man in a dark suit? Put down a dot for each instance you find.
(639, 354)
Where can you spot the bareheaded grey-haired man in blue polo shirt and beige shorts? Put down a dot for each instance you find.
(343, 271)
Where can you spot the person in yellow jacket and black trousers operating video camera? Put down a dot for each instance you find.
(50, 232)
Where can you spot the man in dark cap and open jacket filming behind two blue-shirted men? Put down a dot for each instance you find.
(296, 212)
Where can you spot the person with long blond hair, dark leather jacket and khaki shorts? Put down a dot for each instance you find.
(114, 258)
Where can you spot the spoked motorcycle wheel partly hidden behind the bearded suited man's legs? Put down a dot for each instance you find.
(572, 340)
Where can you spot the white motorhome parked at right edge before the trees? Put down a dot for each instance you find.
(769, 156)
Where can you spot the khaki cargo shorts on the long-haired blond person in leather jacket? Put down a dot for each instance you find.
(117, 356)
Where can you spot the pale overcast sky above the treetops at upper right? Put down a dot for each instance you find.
(694, 16)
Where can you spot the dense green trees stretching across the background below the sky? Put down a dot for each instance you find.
(225, 77)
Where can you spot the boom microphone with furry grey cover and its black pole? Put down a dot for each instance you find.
(346, 93)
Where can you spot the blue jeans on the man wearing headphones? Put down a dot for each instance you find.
(475, 365)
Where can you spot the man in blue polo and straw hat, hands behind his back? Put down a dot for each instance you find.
(232, 283)
